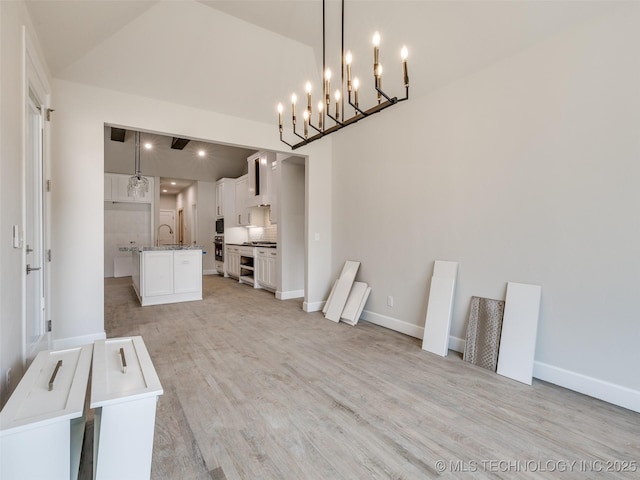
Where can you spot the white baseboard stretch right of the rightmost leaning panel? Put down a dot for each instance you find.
(593, 387)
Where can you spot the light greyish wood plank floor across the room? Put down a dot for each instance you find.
(254, 388)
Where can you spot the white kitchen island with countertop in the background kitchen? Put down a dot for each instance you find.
(167, 274)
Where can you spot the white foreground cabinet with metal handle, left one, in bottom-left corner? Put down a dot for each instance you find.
(42, 424)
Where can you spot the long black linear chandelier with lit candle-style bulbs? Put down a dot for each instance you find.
(336, 122)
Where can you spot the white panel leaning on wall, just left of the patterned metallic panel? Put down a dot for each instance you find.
(440, 308)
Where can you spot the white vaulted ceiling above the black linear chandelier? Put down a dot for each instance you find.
(241, 57)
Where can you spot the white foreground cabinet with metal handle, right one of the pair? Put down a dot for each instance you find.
(124, 391)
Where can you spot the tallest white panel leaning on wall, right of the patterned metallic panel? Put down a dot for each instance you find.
(519, 331)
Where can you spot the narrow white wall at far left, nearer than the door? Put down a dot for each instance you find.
(13, 18)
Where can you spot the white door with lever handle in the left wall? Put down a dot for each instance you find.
(34, 229)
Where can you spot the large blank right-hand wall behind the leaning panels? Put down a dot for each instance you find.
(527, 171)
